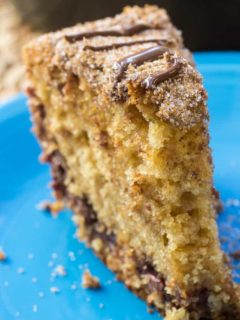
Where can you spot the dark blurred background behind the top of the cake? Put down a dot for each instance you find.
(206, 24)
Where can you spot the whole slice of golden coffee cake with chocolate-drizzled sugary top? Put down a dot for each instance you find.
(121, 114)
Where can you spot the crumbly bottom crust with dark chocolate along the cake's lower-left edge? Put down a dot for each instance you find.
(136, 271)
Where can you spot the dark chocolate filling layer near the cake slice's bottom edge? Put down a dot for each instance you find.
(144, 267)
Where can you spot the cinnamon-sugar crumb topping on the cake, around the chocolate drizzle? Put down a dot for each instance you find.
(181, 98)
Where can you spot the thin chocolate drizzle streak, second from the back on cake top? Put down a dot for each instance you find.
(125, 44)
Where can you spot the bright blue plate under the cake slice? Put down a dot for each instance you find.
(36, 243)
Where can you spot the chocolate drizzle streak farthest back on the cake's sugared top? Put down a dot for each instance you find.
(109, 33)
